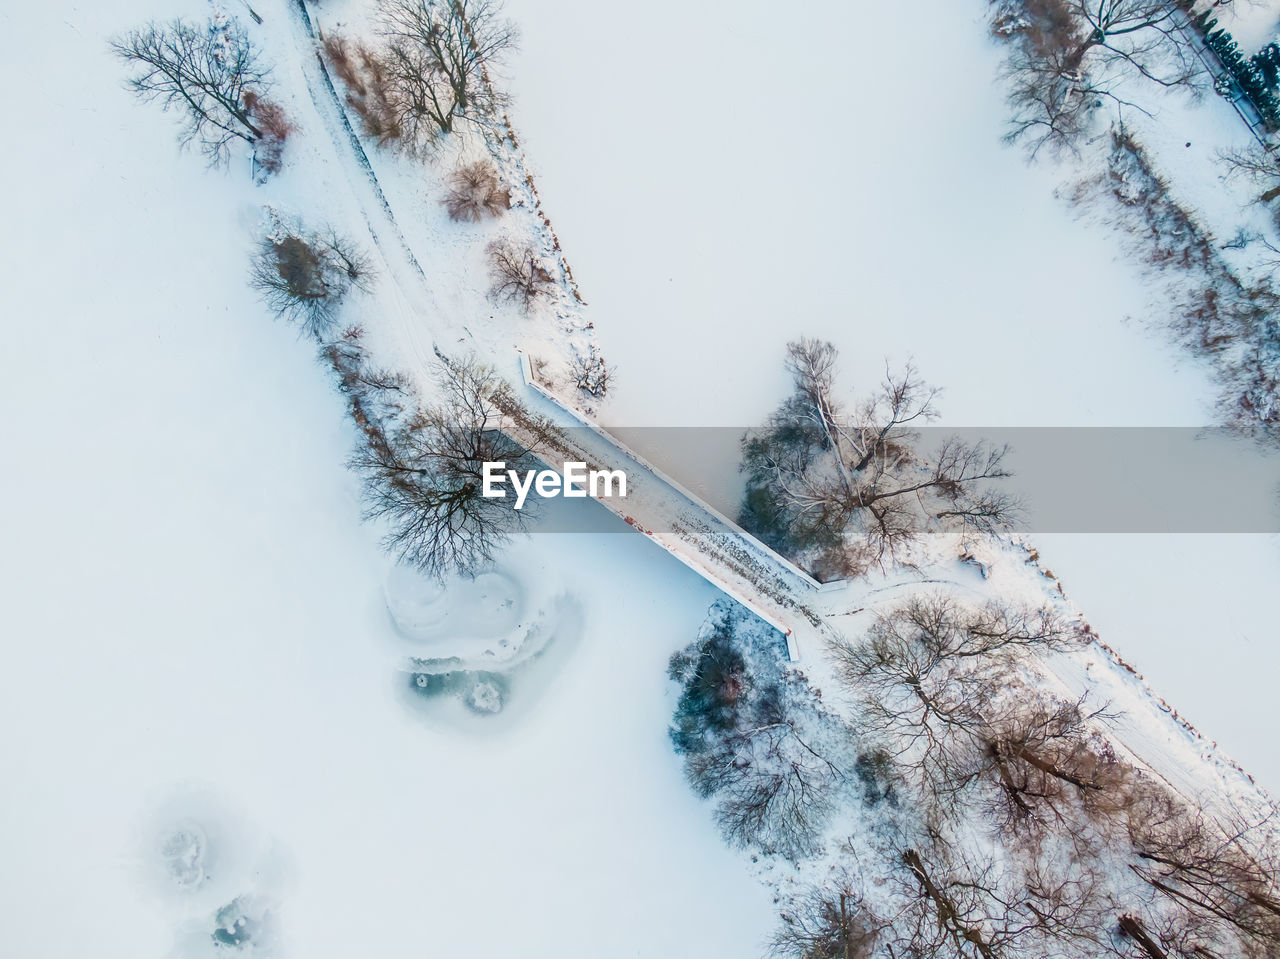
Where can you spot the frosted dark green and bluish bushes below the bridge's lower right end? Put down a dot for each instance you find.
(755, 737)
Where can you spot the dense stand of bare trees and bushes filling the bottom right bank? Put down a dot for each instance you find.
(959, 806)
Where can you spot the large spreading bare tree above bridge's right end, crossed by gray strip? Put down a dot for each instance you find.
(819, 471)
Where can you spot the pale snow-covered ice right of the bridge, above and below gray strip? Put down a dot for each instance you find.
(725, 182)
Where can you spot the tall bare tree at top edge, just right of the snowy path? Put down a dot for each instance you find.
(435, 63)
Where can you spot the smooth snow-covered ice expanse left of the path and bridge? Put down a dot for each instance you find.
(194, 618)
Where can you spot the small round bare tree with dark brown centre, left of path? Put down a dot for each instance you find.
(305, 277)
